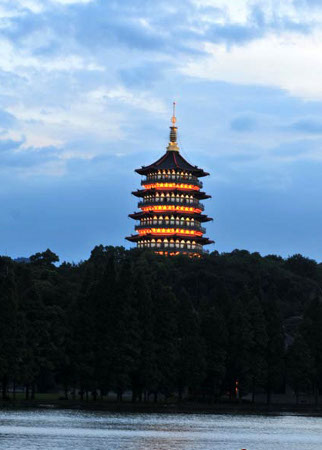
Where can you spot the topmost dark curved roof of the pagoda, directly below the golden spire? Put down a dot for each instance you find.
(172, 160)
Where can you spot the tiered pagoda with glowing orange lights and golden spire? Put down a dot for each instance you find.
(171, 215)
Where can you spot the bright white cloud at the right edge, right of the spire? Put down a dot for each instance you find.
(290, 62)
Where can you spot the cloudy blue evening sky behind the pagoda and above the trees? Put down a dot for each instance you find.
(86, 92)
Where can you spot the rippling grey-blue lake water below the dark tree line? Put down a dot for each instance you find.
(72, 430)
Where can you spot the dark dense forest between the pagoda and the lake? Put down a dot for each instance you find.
(207, 329)
